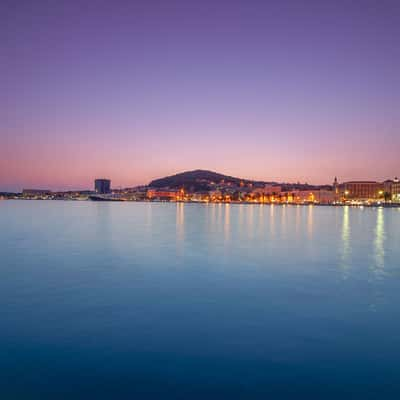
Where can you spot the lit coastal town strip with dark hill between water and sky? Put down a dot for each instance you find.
(200, 186)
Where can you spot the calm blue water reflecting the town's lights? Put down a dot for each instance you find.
(185, 301)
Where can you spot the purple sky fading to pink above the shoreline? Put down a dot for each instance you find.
(134, 90)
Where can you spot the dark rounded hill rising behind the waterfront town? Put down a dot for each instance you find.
(198, 180)
